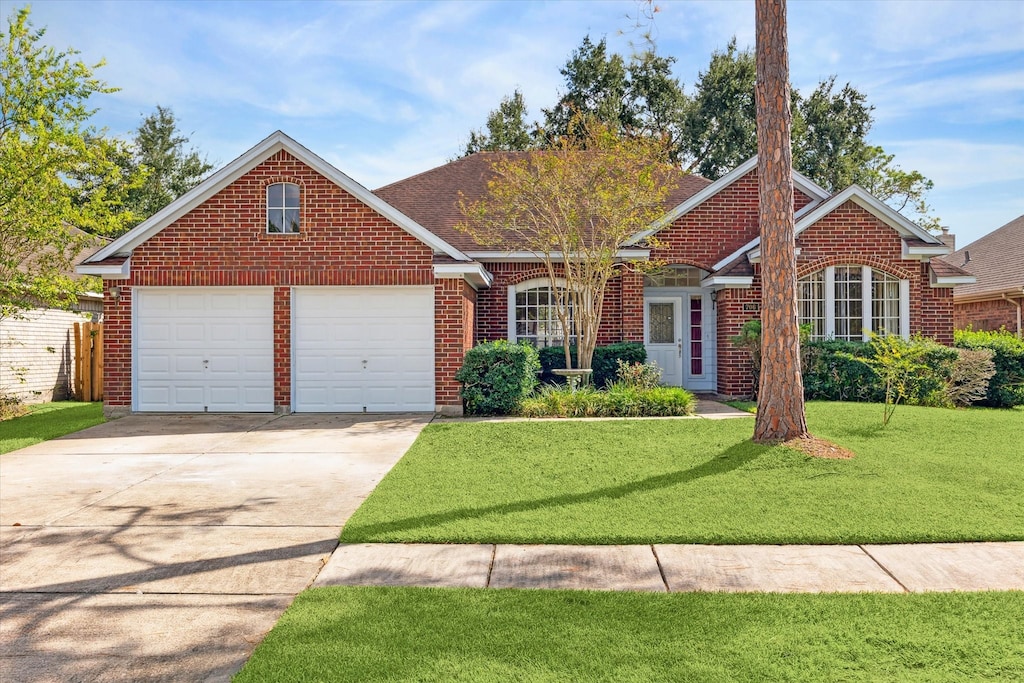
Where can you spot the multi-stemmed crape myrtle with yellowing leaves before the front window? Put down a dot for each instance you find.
(574, 206)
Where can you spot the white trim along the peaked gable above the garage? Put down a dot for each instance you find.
(274, 144)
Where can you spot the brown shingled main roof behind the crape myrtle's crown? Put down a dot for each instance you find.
(432, 199)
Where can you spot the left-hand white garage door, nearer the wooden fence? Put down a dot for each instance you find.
(204, 350)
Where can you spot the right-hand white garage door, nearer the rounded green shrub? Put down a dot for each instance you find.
(364, 350)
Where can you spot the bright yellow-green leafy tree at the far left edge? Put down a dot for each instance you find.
(47, 147)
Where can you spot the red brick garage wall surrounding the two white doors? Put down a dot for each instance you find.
(225, 243)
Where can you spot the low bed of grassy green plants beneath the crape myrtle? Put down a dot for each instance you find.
(618, 401)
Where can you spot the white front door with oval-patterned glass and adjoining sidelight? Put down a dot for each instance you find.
(679, 335)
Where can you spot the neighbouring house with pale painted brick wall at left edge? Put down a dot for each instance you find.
(37, 347)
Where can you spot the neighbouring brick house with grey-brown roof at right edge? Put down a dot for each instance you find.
(995, 301)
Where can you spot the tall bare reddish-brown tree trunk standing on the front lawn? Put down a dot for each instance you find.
(781, 394)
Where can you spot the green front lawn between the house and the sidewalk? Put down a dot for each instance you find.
(932, 476)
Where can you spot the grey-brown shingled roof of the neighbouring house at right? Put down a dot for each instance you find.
(997, 261)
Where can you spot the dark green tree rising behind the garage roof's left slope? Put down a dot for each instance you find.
(168, 167)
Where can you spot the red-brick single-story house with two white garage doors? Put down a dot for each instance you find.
(281, 284)
